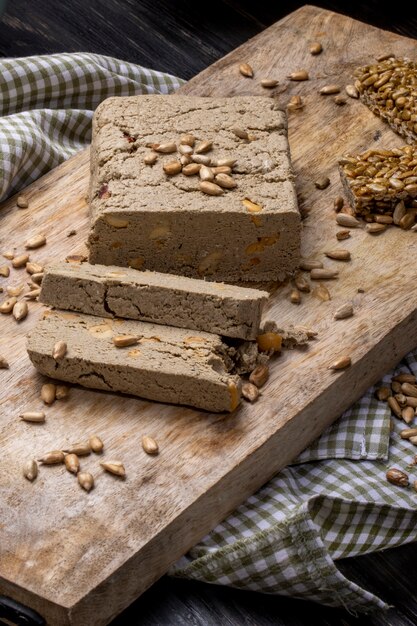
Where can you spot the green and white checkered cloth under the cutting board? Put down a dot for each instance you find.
(334, 501)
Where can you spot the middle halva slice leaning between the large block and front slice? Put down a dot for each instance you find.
(109, 291)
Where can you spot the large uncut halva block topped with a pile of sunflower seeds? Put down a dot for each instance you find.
(142, 218)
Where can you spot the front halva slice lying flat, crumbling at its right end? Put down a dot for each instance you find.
(167, 364)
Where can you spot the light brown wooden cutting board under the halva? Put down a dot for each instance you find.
(81, 558)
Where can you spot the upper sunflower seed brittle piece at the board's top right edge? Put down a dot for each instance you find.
(389, 89)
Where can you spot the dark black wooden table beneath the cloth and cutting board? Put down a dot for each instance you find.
(184, 37)
